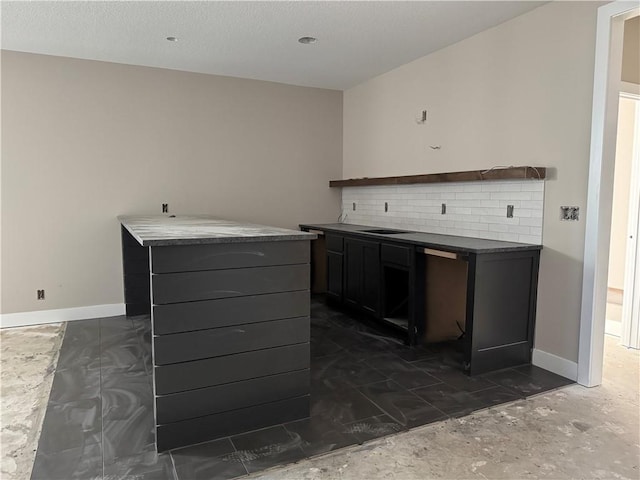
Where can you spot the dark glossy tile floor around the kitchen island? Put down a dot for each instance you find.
(364, 384)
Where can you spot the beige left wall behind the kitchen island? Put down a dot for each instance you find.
(84, 141)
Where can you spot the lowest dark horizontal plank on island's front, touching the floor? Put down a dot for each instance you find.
(198, 430)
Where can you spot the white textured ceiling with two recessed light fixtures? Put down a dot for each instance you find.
(258, 40)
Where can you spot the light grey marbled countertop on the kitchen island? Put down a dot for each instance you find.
(161, 230)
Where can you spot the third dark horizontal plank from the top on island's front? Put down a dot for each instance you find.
(184, 317)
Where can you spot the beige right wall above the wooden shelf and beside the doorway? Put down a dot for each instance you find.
(517, 94)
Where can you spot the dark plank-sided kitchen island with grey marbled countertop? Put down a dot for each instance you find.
(229, 307)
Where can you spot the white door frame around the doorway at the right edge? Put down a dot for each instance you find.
(606, 88)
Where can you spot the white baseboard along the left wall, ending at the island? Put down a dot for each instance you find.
(39, 317)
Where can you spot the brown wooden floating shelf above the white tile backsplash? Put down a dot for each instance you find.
(510, 173)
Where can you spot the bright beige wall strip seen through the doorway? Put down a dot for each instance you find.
(621, 184)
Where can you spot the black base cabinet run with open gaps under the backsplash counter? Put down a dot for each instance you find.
(484, 299)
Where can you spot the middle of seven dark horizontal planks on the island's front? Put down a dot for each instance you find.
(184, 347)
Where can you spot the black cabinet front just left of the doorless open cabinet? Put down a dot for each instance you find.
(362, 275)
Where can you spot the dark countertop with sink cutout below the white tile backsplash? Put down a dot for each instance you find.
(450, 243)
